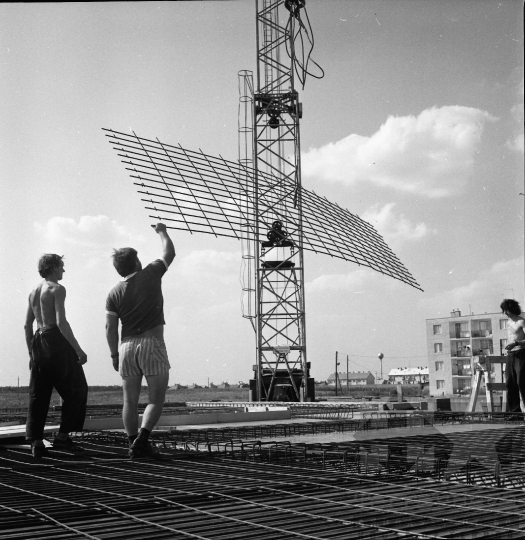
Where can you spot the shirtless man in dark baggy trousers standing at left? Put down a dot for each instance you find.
(55, 361)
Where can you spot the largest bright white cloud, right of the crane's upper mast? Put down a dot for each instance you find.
(431, 154)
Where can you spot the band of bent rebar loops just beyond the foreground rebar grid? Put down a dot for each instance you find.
(494, 457)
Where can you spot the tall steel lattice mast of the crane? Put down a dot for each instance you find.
(279, 263)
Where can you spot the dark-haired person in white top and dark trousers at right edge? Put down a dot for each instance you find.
(515, 368)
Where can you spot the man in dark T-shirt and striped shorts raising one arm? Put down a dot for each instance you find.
(137, 301)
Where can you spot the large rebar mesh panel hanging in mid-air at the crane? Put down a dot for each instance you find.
(204, 194)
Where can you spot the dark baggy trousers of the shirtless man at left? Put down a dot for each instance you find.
(54, 364)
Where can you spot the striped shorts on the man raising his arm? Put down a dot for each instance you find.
(143, 356)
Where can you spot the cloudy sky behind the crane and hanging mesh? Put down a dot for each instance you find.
(417, 127)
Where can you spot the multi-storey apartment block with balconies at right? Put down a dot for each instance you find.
(453, 341)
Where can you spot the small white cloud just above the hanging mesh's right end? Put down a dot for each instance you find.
(395, 229)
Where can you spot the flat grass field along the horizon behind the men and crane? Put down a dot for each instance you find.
(14, 397)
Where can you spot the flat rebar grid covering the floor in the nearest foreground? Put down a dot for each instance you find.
(202, 496)
